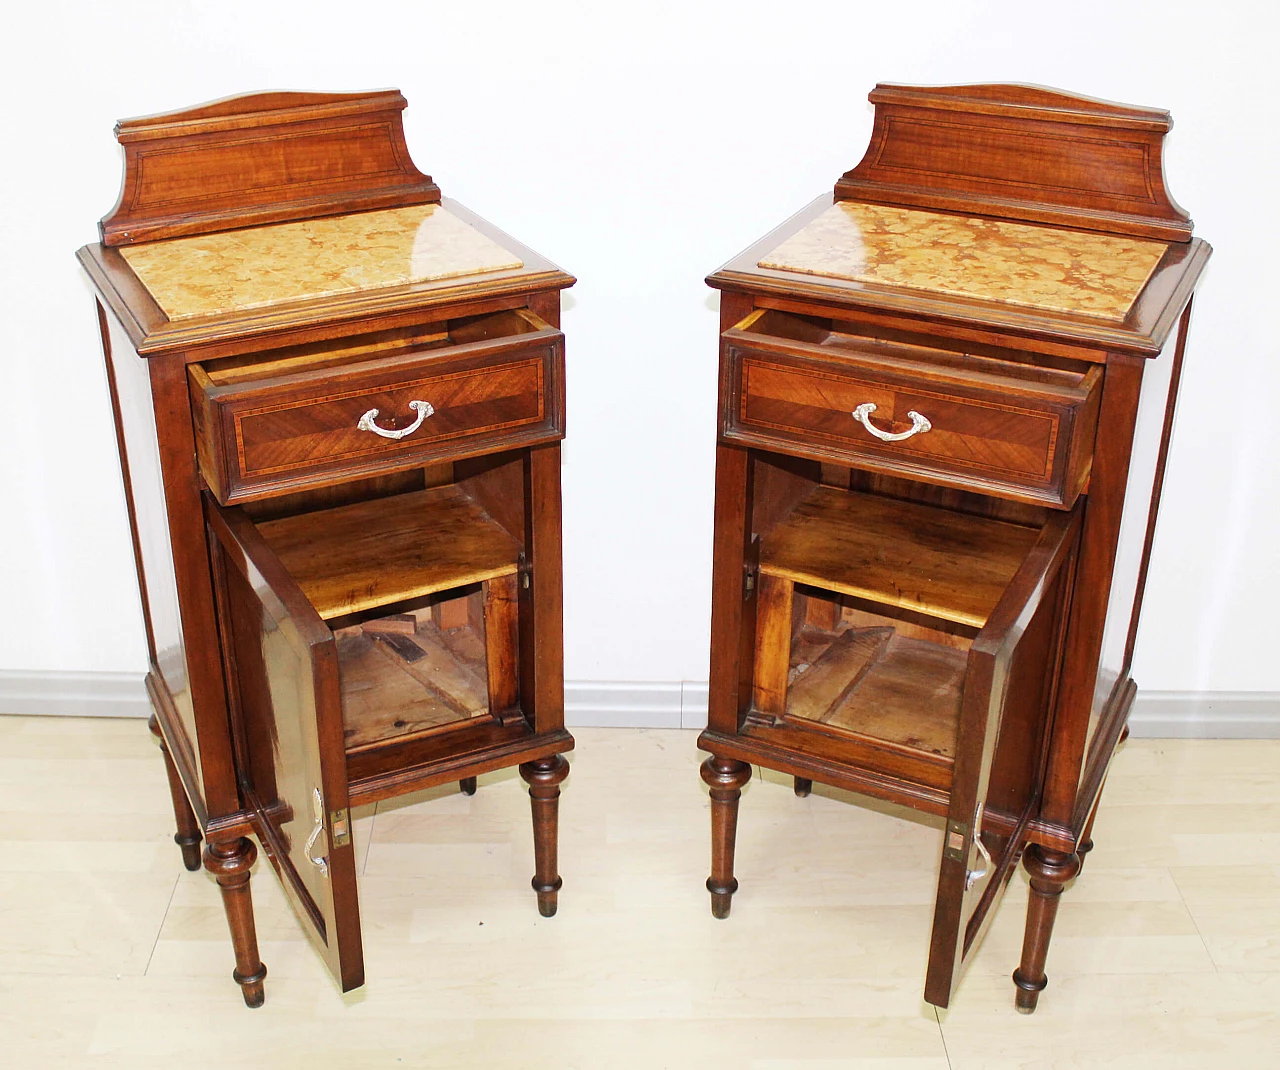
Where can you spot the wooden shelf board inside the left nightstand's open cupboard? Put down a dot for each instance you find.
(355, 559)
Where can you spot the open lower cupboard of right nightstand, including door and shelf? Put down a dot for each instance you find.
(915, 651)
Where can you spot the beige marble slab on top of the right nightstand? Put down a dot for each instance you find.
(1012, 263)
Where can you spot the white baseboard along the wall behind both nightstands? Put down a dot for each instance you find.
(650, 705)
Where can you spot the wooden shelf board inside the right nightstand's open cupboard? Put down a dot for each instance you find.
(943, 564)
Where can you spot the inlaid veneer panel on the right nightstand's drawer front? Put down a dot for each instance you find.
(966, 433)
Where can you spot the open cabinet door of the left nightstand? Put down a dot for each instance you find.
(287, 723)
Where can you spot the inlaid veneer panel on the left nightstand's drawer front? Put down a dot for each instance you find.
(281, 437)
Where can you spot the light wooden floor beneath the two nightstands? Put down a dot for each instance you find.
(1167, 953)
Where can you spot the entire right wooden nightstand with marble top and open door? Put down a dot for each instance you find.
(944, 415)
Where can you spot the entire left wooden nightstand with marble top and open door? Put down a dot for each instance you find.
(340, 401)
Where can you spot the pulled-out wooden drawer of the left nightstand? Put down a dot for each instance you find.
(299, 419)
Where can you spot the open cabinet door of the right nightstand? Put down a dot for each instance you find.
(1000, 749)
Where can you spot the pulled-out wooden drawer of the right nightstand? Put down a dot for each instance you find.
(998, 427)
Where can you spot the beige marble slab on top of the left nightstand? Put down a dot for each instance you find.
(236, 271)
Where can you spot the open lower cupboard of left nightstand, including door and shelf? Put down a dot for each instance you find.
(373, 650)
